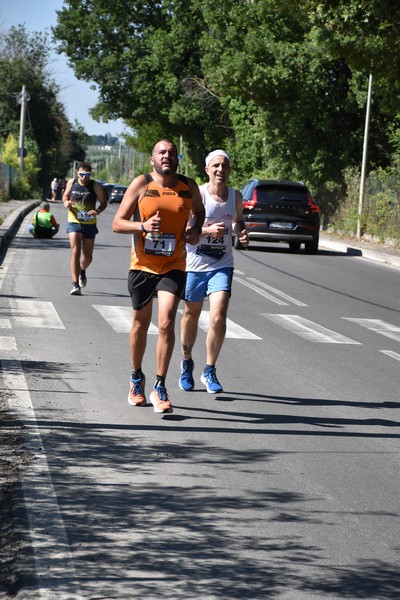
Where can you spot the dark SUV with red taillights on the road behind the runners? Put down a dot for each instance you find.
(281, 211)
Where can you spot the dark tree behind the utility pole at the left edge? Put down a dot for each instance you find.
(24, 59)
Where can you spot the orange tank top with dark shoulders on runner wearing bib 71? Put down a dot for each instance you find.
(167, 250)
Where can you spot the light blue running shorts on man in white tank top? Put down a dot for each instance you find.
(199, 285)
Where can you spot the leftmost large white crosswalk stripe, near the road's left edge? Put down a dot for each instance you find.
(34, 313)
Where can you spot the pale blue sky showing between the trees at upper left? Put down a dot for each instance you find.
(76, 96)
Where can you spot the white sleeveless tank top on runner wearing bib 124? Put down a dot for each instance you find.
(213, 253)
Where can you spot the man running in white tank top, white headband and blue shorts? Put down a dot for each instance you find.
(209, 266)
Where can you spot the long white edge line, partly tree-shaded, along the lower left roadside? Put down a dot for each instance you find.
(54, 565)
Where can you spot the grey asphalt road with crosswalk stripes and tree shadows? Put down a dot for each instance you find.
(284, 486)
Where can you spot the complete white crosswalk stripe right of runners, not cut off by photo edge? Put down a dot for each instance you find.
(309, 330)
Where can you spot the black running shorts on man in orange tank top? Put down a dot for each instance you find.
(143, 286)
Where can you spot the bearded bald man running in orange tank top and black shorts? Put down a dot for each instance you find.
(160, 204)
